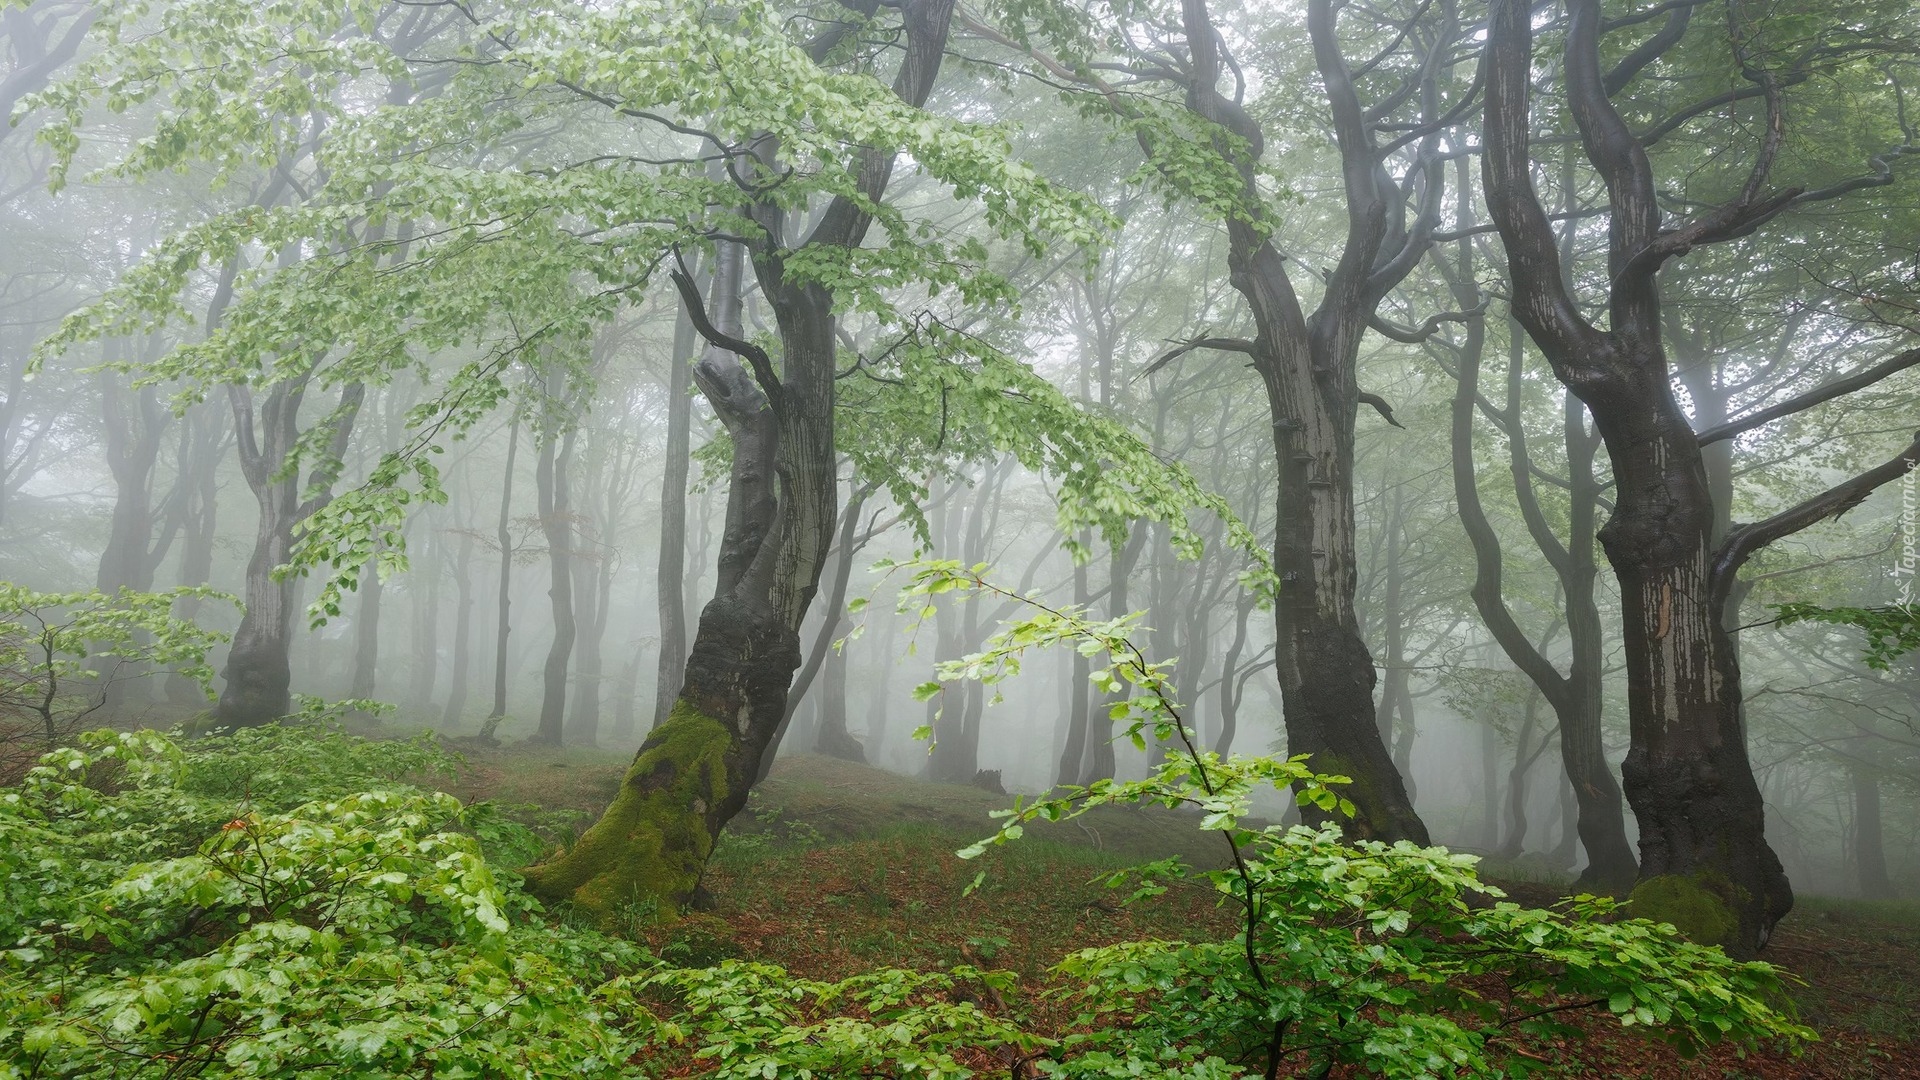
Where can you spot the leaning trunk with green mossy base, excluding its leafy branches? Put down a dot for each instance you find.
(696, 770)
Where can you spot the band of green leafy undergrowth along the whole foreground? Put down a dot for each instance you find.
(299, 900)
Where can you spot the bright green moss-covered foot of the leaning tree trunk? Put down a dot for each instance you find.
(660, 831)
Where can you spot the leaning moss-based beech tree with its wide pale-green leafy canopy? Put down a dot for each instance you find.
(437, 224)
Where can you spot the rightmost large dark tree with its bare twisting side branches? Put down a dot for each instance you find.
(1687, 773)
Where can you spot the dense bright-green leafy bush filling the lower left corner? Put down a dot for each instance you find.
(314, 929)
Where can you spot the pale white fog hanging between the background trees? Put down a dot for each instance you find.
(556, 591)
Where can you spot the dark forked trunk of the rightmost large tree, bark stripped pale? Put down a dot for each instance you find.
(1704, 854)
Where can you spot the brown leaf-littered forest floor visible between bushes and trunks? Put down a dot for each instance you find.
(838, 870)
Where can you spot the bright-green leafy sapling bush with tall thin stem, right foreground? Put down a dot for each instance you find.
(1389, 958)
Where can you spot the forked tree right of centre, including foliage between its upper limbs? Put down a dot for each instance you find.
(1203, 143)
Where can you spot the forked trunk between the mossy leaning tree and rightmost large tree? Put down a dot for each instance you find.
(1308, 368)
